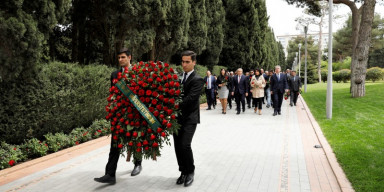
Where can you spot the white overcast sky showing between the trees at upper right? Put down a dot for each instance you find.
(282, 17)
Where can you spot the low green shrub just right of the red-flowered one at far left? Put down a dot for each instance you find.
(34, 148)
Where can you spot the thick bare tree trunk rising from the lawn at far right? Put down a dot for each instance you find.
(361, 51)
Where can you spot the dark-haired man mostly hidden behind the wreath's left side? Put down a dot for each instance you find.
(124, 57)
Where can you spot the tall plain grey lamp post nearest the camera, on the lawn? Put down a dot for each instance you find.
(329, 78)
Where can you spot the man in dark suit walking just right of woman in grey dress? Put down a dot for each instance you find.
(240, 87)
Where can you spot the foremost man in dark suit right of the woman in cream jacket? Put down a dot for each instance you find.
(279, 86)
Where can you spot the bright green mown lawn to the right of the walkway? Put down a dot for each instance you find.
(355, 132)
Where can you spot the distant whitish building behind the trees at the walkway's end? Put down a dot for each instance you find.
(284, 39)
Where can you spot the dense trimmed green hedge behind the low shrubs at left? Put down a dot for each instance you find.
(61, 97)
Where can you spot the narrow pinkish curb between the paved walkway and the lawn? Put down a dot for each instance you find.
(342, 179)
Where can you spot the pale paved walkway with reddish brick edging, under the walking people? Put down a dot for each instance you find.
(246, 152)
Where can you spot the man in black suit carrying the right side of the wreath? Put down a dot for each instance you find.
(189, 118)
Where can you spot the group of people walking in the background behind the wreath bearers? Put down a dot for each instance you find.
(252, 89)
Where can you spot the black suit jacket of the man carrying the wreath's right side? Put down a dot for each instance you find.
(190, 105)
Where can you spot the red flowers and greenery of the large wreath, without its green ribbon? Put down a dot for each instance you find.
(157, 87)
